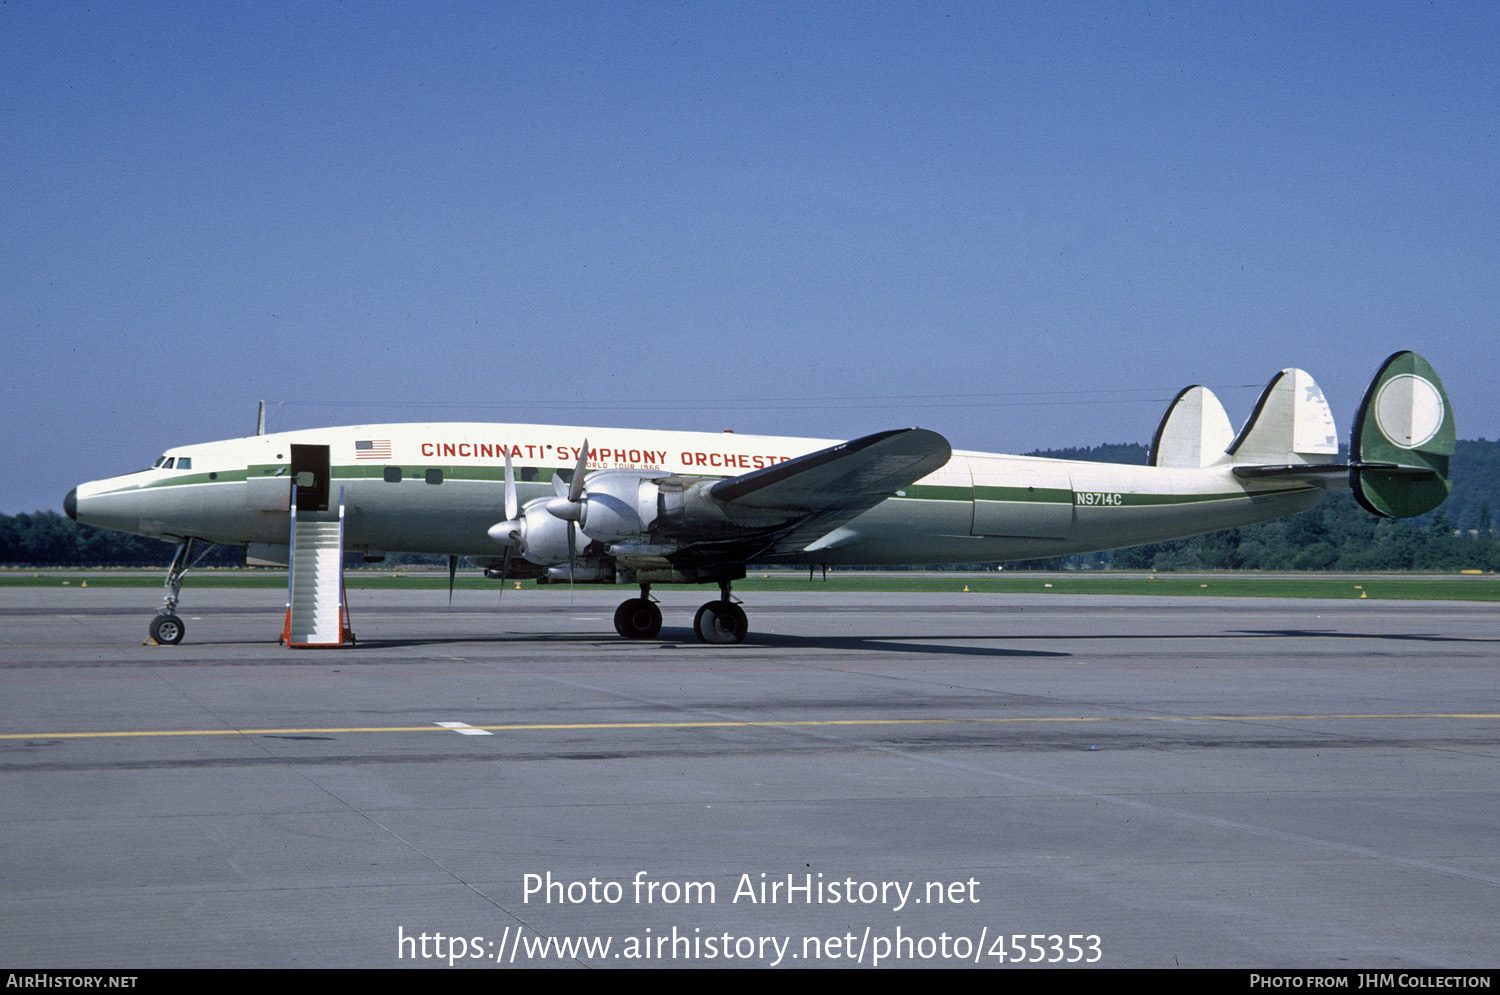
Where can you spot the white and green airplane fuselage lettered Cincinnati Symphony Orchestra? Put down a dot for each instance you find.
(440, 488)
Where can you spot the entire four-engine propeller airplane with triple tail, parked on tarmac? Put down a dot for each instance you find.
(623, 507)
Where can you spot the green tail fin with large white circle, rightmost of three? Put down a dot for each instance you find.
(1403, 439)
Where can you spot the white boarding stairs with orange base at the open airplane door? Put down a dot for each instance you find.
(317, 607)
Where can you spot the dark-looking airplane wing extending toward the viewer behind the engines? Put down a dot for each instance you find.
(818, 493)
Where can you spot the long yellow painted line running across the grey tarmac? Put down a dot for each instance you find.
(740, 726)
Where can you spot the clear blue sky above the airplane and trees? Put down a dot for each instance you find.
(1024, 226)
